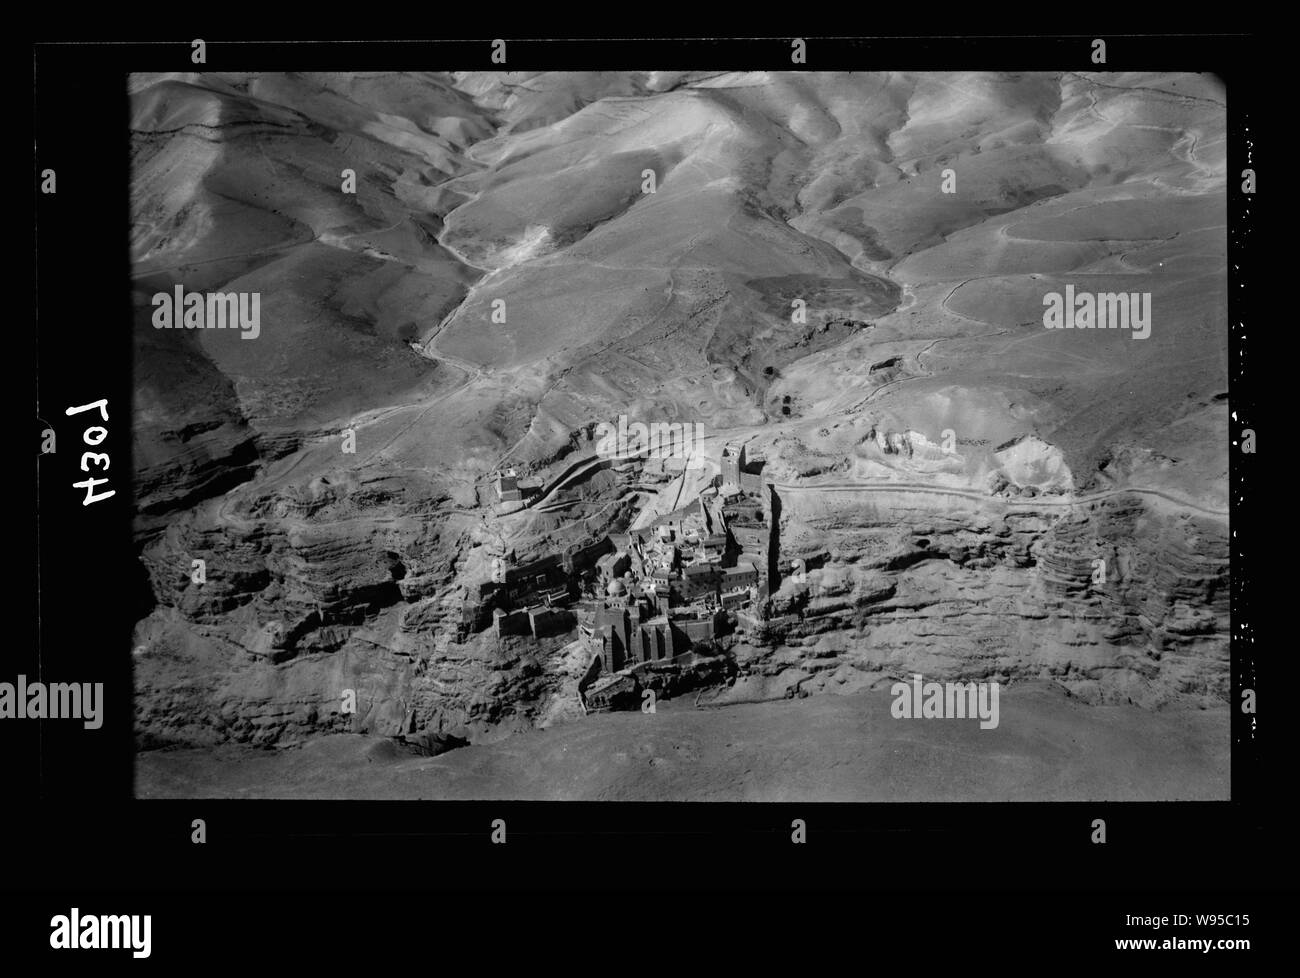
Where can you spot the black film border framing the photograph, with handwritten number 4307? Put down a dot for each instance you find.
(79, 785)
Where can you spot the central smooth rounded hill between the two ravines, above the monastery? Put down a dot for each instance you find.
(662, 296)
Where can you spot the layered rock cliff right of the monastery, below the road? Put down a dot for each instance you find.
(1116, 601)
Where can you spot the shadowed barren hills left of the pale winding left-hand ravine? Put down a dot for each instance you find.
(239, 187)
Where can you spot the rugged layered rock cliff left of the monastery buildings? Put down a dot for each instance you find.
(333, 608)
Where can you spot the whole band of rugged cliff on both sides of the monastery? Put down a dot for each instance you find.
(313, 594)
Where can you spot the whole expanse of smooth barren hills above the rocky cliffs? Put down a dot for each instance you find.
(502, 223)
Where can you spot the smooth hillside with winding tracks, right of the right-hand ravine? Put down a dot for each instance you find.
(1102, 183)
